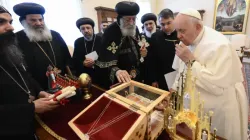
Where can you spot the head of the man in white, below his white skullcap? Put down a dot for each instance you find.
(188, 27)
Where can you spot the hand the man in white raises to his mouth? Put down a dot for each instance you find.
(184, 53)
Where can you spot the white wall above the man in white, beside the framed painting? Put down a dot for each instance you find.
(207, 5)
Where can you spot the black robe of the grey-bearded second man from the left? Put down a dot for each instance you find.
(36, 60)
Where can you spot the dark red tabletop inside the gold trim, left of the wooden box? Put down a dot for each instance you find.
(58, 119)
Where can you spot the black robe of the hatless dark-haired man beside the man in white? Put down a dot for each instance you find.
(163, 52)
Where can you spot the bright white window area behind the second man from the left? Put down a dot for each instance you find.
(60, 16)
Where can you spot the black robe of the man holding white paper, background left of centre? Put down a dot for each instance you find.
(79, 55)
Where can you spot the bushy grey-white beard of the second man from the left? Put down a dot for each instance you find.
(36, 35)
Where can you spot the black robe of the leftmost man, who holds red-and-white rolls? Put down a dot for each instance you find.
(16, 113)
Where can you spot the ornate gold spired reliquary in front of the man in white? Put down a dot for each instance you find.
(185, 107)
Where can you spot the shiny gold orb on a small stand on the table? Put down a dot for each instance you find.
(85, 84)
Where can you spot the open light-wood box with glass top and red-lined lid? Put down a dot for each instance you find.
(124, 112)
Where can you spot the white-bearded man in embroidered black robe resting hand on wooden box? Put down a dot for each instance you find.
(121, 53)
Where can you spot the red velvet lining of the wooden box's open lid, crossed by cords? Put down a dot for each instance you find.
(115, 131)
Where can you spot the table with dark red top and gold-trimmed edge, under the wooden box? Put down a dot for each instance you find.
(54, 125)
